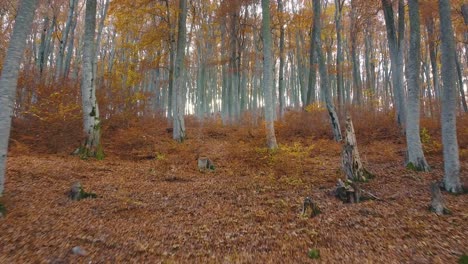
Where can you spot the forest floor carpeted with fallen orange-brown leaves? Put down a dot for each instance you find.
(154, 206)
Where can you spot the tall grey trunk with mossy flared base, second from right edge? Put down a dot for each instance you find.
(416, 157)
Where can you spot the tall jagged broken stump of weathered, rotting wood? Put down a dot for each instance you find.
(351, 161)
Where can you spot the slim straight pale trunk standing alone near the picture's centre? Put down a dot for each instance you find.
(267, 76)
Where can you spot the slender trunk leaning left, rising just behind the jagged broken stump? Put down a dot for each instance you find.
(324, 80)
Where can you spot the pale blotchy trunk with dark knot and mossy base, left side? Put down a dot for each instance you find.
(91, 121)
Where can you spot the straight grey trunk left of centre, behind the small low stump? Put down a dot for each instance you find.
(178, 95)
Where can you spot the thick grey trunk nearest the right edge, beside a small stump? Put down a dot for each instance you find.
(449, 101)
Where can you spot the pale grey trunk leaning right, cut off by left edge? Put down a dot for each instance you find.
(9, 77)
